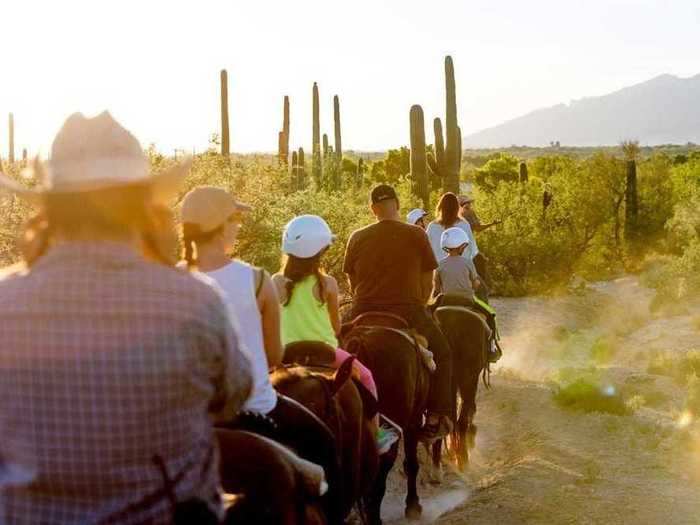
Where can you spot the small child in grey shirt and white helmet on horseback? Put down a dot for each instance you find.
(456, 279)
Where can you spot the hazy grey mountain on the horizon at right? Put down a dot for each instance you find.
(663, 110)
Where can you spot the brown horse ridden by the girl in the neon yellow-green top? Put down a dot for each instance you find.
(340, 404)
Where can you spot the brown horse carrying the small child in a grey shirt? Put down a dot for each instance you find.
(468, 336)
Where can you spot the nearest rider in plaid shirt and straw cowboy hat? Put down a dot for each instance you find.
(107, 358)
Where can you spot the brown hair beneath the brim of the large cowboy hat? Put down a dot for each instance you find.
(109, 212)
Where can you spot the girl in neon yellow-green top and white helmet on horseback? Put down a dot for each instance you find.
(309, 299)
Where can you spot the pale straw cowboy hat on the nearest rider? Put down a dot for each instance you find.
(90, 154)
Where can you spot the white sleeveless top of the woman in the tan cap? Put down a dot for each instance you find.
(237, 280)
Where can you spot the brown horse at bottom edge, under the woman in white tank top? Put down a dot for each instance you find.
(271, 486)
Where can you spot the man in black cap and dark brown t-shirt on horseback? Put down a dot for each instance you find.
(390, 267)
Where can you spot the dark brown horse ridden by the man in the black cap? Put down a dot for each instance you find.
(402, 382)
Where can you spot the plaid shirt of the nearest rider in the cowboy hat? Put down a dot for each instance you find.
(105, 361)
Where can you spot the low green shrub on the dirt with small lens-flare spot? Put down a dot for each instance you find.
(587, 396)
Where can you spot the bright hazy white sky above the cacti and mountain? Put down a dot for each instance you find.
(155, 64)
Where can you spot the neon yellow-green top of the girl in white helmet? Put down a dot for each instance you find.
(305, 318)
